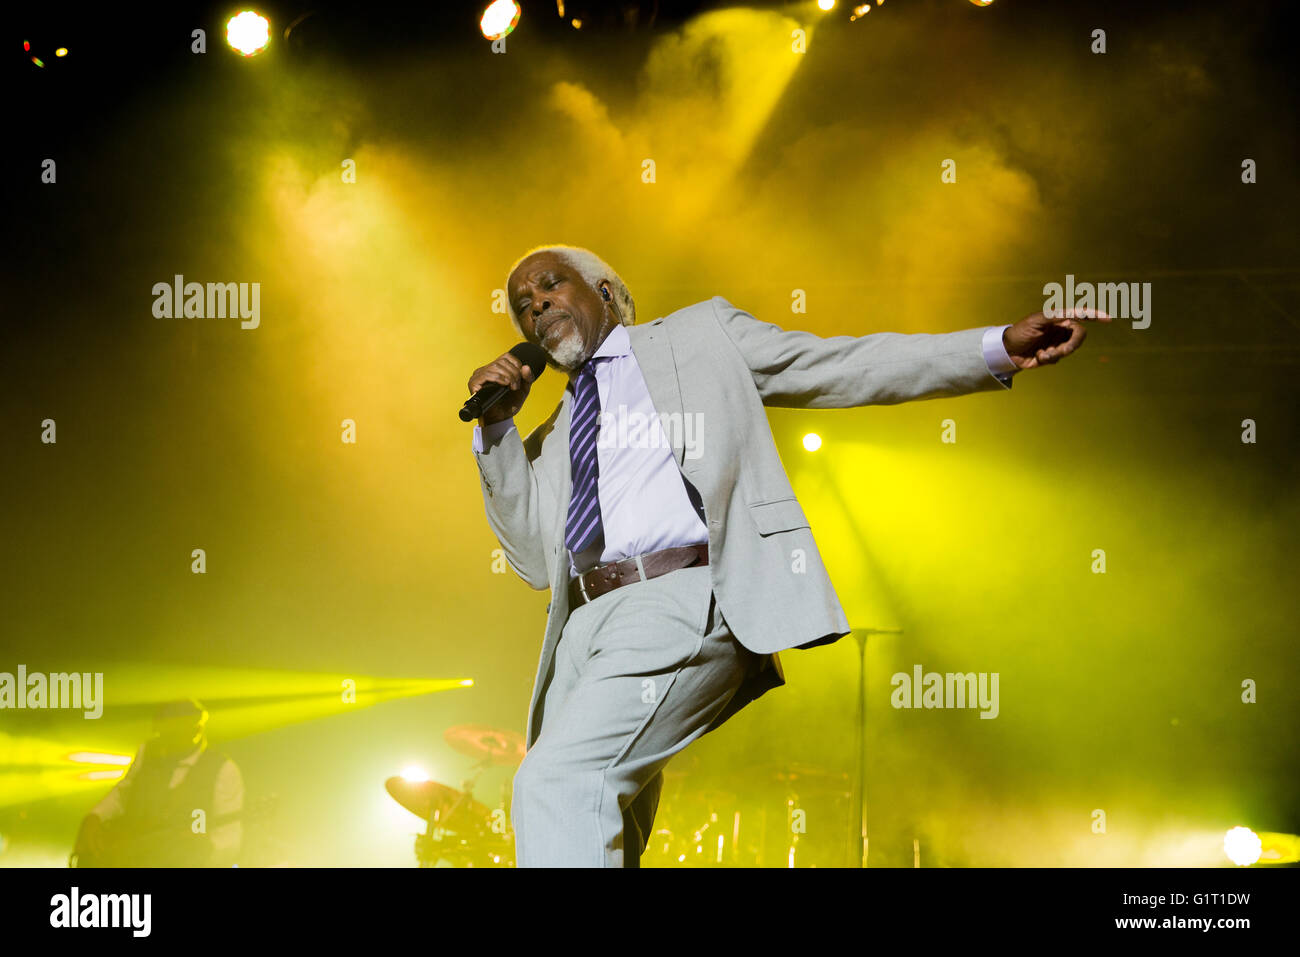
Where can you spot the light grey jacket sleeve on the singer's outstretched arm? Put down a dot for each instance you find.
(799, 370)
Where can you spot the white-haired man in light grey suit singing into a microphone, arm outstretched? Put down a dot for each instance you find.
(673, 562)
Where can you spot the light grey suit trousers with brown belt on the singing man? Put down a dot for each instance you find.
(640, 674)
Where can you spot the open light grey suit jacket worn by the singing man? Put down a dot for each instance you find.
(725, 365)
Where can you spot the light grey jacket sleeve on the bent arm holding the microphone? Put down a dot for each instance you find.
(512, 501)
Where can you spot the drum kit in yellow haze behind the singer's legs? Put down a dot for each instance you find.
(697, 828)
